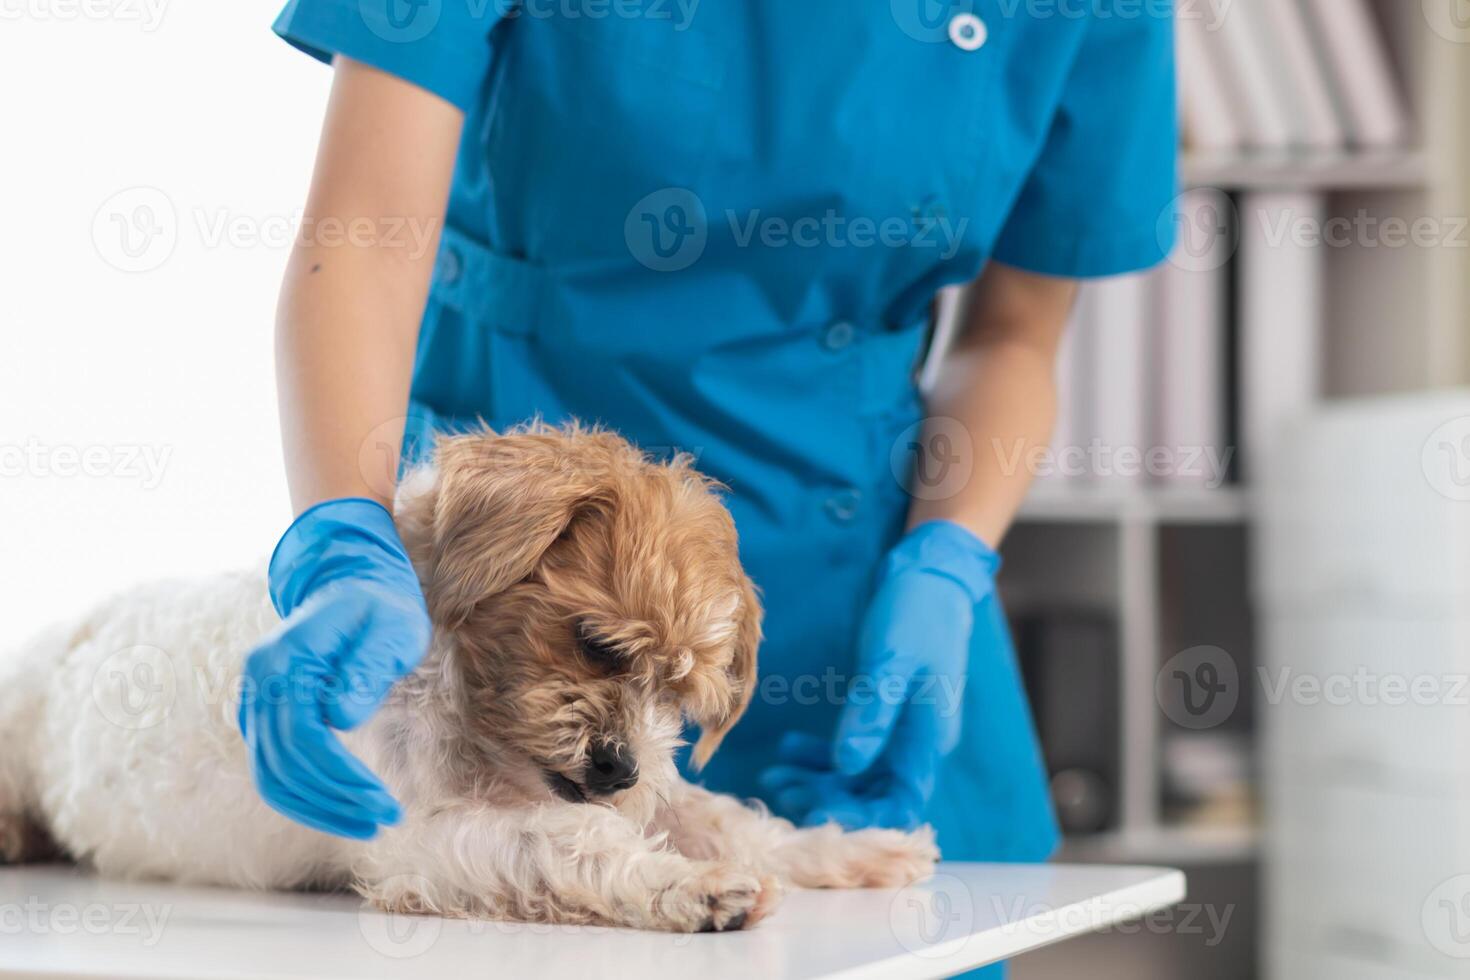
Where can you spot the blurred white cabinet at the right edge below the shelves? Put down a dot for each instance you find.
(1363, 693)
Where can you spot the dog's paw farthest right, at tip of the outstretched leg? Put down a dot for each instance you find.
(864, 859)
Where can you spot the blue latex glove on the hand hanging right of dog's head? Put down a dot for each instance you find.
(902, 716)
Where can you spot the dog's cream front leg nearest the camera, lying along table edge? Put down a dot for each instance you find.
(556, 865)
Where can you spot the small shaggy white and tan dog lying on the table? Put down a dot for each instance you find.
(587, 602)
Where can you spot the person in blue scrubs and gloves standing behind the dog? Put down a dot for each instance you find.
(720, 228)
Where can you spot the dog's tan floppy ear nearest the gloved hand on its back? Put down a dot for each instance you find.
(501, 503)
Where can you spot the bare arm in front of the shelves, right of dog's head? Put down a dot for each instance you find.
(999, 383)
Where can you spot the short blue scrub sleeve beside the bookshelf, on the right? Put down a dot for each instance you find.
(1100, 198)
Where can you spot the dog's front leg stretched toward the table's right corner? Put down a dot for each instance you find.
(717, 828)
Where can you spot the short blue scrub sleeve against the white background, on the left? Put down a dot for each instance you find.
(442, 46)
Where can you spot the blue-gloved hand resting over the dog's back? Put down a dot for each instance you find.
(355, 622)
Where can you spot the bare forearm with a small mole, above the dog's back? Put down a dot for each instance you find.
(358, 280)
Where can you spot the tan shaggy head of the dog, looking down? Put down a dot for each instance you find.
(593, 600)
